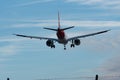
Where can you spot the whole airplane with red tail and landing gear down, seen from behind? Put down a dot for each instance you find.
(61, 36)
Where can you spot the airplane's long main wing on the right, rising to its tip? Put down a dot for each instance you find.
(87, 35)
